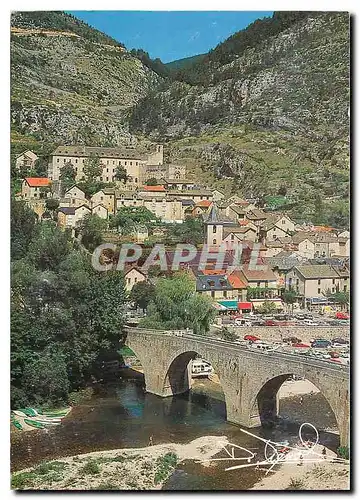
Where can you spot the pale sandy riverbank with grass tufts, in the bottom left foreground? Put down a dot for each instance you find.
(122, 469)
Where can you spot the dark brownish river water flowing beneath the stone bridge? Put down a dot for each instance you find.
(122, 415)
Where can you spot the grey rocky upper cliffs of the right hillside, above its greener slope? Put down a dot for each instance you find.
(297, 80)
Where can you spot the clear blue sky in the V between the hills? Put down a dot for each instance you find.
(170, 35)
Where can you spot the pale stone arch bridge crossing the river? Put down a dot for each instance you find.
(250, 380)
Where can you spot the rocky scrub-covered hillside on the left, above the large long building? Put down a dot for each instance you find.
(71, 83)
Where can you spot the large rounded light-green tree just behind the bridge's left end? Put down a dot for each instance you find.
(176, 306)
